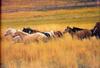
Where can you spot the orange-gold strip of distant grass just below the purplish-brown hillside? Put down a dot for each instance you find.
(84, 12)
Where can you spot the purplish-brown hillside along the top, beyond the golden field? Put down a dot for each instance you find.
(29, 5)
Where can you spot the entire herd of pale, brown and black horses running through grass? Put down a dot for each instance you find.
(27, 34)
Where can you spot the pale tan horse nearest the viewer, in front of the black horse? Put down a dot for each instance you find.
(32, 37)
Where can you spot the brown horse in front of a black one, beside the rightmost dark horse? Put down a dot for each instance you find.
(80, 34)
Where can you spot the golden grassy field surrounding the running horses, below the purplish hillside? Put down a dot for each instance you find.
(62, 52)
